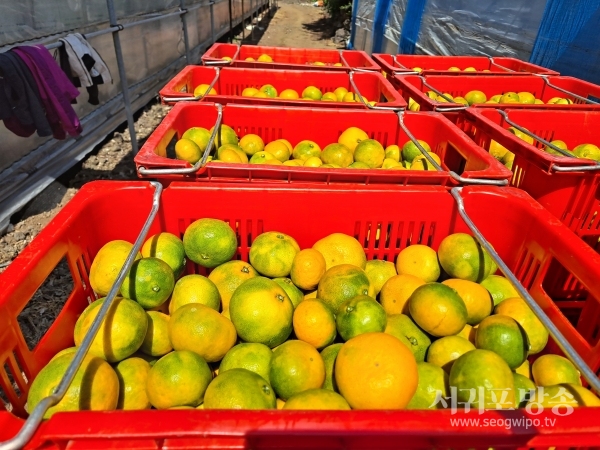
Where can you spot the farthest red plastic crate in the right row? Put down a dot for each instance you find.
(440, 64)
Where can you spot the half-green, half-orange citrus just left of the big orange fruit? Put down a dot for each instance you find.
(296, 366)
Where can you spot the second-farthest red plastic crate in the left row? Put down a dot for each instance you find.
(232, 81)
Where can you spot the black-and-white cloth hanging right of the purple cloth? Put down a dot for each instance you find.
(83, 65)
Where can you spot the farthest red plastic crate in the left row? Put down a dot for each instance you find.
(288, 58)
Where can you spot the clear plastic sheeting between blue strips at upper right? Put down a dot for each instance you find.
(483, 27)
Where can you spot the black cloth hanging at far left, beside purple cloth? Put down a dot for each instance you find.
(21, 108)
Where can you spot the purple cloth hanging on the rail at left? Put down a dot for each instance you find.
(56, 90)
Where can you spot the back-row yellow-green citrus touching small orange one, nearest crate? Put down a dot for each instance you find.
(272, 254)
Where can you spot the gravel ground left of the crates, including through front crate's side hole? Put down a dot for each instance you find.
(111, 160)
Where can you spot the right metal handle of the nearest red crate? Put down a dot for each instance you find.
(562, 342)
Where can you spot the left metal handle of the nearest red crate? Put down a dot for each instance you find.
(35, 418)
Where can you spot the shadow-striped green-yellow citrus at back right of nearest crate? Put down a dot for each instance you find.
(461, 256)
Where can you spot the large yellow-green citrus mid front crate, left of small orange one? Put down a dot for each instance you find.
(261, 312)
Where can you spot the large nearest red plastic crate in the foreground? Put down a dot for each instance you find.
(528, 238)
